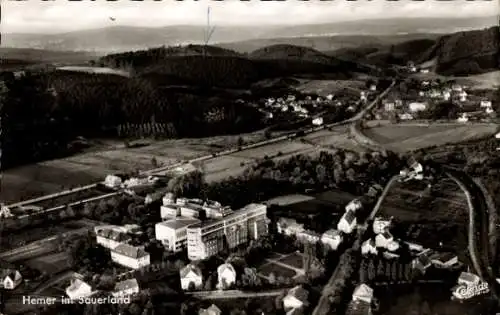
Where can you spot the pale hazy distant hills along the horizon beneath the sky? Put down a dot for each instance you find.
(126, 38)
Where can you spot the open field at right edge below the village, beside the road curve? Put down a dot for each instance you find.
(406, 138)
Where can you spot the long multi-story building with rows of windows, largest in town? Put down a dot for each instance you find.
(207, 238)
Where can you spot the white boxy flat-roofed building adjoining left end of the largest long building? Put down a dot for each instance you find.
(173, 233)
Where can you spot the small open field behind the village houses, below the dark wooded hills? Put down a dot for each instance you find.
(325, 87)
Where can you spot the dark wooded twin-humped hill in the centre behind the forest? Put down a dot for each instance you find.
(226, 68)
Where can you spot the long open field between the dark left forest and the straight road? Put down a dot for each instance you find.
(47, 177)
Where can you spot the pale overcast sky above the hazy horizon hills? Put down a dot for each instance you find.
(57, 16)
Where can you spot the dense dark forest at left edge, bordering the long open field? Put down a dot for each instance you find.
(44, 112)
